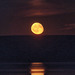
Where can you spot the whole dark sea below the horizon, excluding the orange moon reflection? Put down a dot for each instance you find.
(56, 52)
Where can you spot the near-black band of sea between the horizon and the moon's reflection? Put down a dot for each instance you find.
(37, 48)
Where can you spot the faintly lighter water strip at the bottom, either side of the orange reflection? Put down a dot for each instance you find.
(51, 68)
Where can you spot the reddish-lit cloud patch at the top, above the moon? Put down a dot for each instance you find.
(40, 7)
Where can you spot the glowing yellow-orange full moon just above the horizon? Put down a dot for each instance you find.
(37, 28)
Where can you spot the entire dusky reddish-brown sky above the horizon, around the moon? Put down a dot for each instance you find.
(17, 16)
